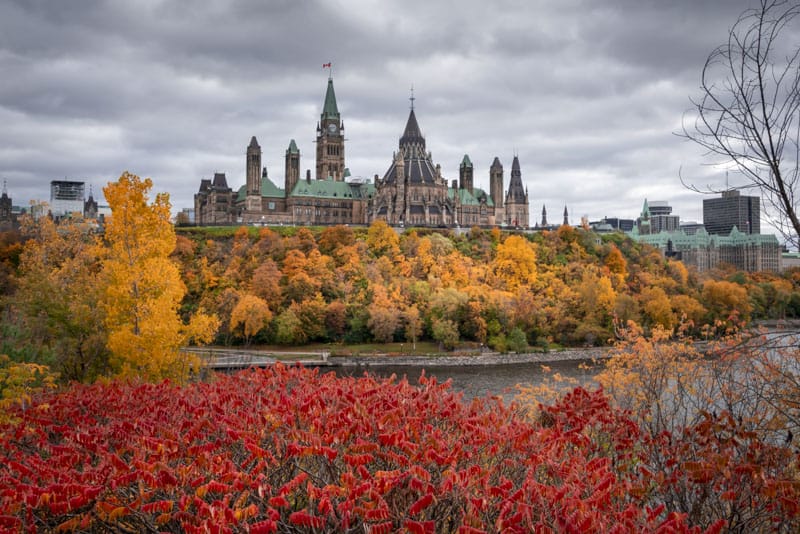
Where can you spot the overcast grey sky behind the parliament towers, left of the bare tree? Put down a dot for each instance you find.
(588, 93)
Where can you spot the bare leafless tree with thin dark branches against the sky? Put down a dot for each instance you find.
(748, 112)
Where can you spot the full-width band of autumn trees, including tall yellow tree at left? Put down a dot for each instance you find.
(74, 300)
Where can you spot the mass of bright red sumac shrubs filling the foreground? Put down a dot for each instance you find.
(287, 449)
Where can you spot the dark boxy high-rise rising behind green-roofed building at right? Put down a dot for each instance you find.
(721, 214)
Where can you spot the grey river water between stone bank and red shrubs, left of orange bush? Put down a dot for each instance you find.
(477, 381)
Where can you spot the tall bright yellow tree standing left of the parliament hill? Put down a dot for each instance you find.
(143, 288)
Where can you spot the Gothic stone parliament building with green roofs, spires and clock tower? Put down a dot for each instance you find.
(412, 192)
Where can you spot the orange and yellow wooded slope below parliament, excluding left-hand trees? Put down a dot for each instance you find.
(293, 286)
